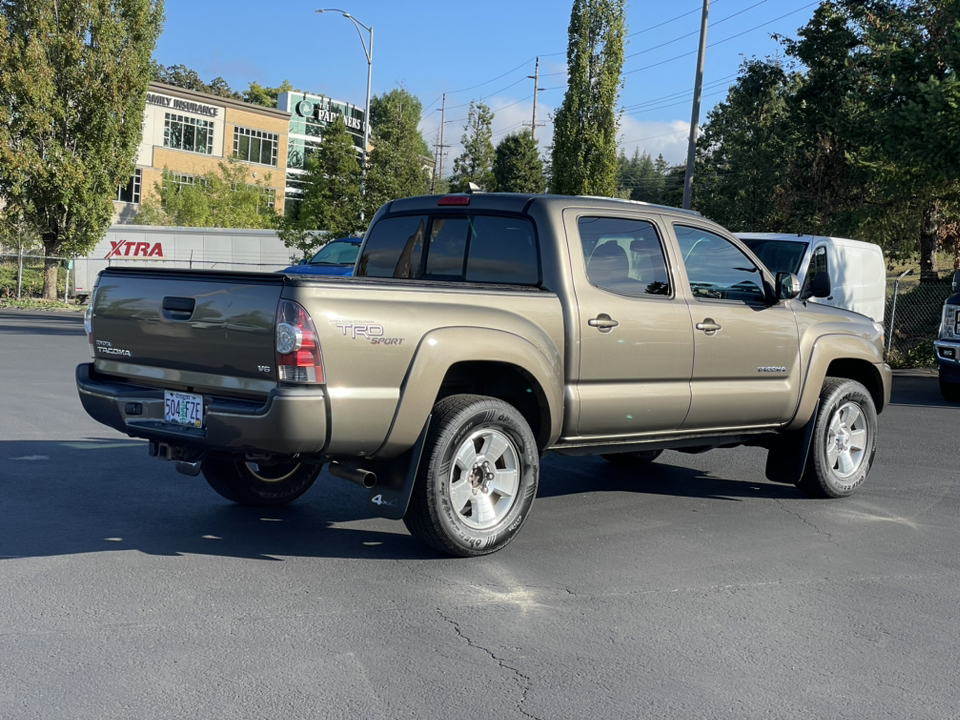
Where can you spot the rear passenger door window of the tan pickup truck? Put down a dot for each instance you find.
(624, 256)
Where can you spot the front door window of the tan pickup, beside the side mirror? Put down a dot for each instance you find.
(718, 269)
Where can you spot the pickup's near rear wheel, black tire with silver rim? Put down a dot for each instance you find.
(478, 477)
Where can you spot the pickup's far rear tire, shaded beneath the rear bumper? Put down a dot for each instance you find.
(248, 483)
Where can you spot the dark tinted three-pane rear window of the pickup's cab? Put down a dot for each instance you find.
(475, 248)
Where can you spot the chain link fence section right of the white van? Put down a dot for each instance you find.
(912, 318)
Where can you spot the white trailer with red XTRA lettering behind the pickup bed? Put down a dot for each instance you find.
(176, 247)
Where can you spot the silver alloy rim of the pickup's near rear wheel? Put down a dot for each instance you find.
(484, 478)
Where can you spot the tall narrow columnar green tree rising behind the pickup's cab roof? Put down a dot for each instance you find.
(585, 126)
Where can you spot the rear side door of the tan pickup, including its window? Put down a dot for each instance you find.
(635, 341)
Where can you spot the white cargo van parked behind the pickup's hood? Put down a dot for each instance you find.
(857, 271)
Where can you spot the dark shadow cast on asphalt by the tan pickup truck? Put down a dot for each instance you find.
(88, 496)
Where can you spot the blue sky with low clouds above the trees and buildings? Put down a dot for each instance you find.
(479, 51)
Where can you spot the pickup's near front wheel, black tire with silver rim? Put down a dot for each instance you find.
(844, 440)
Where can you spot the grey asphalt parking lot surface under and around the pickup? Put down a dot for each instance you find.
(694, 590)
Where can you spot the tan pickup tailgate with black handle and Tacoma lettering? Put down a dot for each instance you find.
(170, 324)
